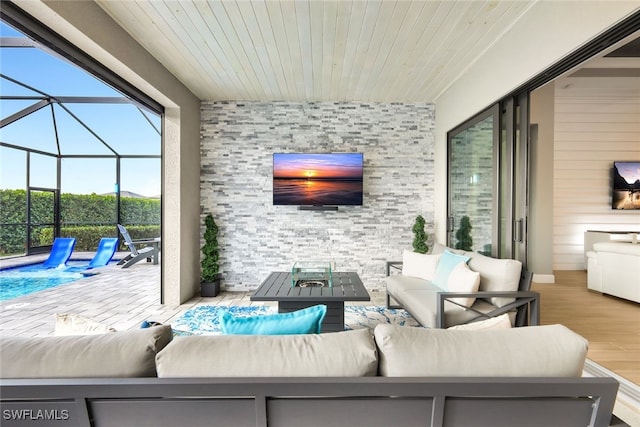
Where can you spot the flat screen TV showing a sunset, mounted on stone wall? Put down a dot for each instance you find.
(330, 179)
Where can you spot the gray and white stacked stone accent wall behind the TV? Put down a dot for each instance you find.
(238, 140)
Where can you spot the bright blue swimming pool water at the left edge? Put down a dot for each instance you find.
(19, 281)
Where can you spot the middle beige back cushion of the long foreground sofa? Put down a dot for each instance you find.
(338, 354)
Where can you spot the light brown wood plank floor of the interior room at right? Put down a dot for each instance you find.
(611, 325)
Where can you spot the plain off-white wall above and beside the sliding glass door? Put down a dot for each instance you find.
(547, 33)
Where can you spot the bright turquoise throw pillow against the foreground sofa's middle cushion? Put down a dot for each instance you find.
(305, 321)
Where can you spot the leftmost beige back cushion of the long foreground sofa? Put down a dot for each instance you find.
(117, 354)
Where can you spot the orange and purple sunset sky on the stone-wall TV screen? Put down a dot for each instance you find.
(338, 165)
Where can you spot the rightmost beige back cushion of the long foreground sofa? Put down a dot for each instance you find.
(536, 351)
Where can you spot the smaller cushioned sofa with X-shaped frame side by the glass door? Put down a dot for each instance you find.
(478, 288)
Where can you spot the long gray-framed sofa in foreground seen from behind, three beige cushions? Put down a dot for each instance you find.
(393, 375)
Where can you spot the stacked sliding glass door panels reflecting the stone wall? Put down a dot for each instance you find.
(488, 181)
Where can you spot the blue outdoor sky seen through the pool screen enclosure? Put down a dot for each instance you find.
(122, 128)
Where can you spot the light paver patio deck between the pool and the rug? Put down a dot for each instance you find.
(121, 298)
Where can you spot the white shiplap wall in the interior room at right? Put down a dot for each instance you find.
(597, 121)
